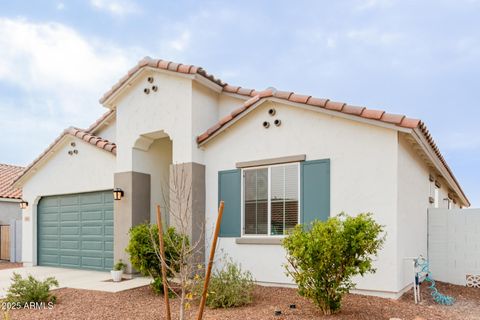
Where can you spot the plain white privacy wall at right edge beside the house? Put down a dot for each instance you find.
(454, 245)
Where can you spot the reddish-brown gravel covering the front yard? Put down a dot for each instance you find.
(141, 303)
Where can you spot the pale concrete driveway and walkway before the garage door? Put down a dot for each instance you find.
(72, 278)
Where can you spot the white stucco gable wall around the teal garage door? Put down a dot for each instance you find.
(90, 170)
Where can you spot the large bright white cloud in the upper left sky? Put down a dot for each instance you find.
(53, 60)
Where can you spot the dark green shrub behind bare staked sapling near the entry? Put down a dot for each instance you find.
(143, 250)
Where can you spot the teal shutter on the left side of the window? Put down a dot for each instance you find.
(229, 190)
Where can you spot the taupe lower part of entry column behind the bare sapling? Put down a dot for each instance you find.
(187, 203)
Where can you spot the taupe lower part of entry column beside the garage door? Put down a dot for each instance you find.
(132, 209)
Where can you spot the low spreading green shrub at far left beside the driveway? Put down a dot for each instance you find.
(26, 290)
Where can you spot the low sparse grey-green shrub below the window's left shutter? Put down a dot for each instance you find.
(228, 287)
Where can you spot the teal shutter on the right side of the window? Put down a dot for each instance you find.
(315, 190)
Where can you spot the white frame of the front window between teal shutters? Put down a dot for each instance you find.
(269, 200)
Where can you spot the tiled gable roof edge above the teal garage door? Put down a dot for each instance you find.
(76, 132)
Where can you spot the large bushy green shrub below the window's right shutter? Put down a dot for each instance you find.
(323, 258)
